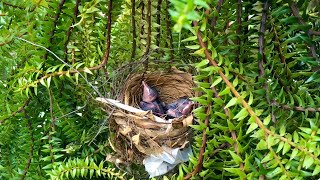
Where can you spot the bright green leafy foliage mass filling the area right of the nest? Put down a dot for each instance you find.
(259, 84)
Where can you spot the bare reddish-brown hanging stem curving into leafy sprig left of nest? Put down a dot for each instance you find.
(108, 42)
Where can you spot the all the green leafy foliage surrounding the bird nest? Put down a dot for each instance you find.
(257, 72)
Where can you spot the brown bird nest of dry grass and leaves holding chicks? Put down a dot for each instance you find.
(137, 133)
